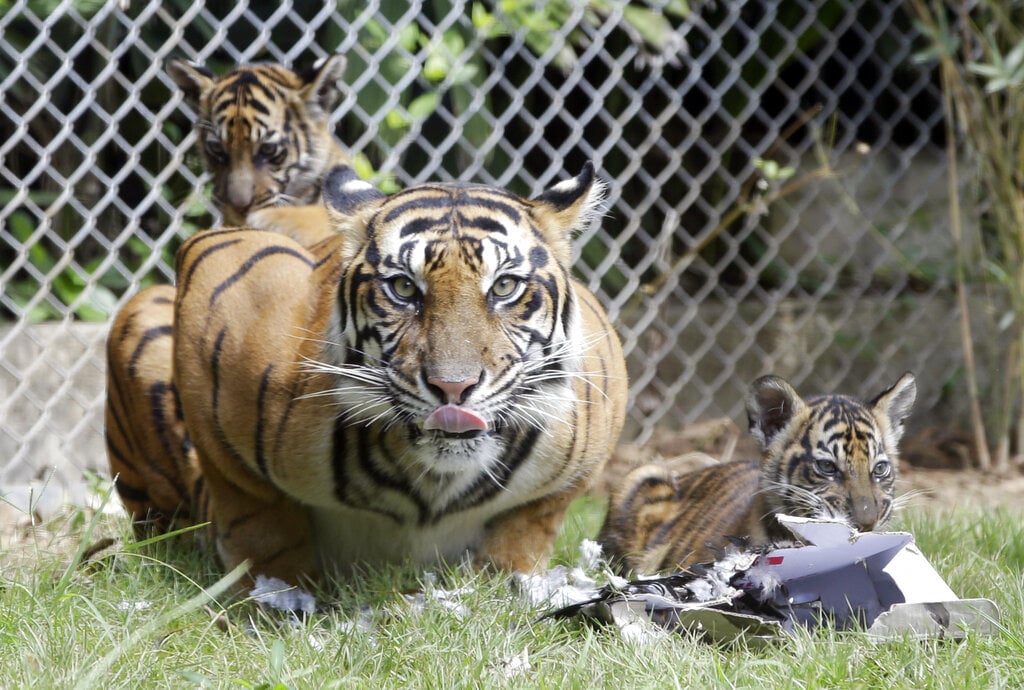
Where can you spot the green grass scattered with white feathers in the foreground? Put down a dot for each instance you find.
(138, 617)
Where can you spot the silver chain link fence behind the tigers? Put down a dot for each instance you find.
(776, 174)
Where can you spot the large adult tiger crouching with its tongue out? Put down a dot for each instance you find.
(428, 383)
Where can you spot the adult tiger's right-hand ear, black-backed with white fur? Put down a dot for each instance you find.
(568, 207)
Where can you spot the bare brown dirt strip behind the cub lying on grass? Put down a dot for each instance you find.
(937, 467)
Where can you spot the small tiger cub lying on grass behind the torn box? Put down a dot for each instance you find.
(830, 457)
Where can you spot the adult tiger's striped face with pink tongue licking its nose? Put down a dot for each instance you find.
(456, 311)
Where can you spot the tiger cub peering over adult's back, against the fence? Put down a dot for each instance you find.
(266, 138)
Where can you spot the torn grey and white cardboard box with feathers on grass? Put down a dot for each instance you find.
(875, 582)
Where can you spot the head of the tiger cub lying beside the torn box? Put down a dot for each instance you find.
(831, 457)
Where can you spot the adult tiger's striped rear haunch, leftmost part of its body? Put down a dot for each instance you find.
(148, 446)
